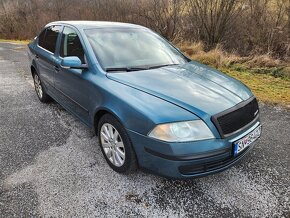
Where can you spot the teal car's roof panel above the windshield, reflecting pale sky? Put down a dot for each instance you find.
(86, 24)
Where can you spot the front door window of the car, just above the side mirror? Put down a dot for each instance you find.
(71, 45)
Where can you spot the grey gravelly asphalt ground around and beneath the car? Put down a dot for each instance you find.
(52, 166)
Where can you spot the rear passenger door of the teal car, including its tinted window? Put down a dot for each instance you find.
(45, 55)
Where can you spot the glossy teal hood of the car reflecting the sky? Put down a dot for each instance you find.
(192, 86)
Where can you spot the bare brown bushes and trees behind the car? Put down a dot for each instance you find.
(242, 26)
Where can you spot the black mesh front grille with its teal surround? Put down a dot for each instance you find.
(233, 119)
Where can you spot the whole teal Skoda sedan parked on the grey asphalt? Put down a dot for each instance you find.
(150, 106)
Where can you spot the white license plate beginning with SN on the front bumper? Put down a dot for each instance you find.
(244, 142)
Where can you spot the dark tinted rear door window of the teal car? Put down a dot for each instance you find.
(48, 37)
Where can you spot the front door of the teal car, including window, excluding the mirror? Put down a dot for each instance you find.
(72, 84)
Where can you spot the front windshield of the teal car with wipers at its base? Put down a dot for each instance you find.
(132, 49)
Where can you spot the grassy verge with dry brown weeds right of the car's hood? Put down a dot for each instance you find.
(268, 78)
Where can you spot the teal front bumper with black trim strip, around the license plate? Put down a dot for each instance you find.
(187, 160)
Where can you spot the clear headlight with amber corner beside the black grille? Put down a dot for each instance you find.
(182, 131)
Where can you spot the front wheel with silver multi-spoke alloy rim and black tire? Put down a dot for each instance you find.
(114, 142)
